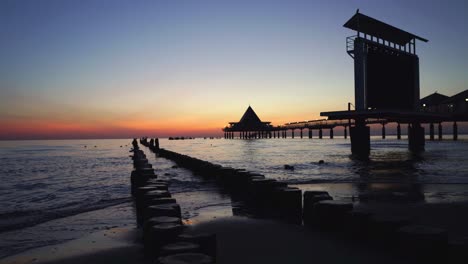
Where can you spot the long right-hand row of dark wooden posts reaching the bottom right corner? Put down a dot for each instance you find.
(317, 209)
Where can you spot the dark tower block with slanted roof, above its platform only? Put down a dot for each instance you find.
(386, 67)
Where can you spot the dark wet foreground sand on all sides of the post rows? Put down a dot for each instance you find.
(247, 240)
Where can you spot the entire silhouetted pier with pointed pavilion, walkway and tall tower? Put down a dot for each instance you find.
(386, 87)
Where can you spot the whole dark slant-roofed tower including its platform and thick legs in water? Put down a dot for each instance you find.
(386, 81)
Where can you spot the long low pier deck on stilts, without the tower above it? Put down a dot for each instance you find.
(345, 120)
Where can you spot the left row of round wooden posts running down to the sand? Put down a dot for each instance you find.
(160, 220)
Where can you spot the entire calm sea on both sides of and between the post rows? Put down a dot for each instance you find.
(56, 190)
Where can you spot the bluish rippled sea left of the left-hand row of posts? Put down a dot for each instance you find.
(43, 180)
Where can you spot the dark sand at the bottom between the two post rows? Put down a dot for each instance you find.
(243, 240)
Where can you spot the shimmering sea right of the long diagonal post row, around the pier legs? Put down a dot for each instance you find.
(392, 173)
